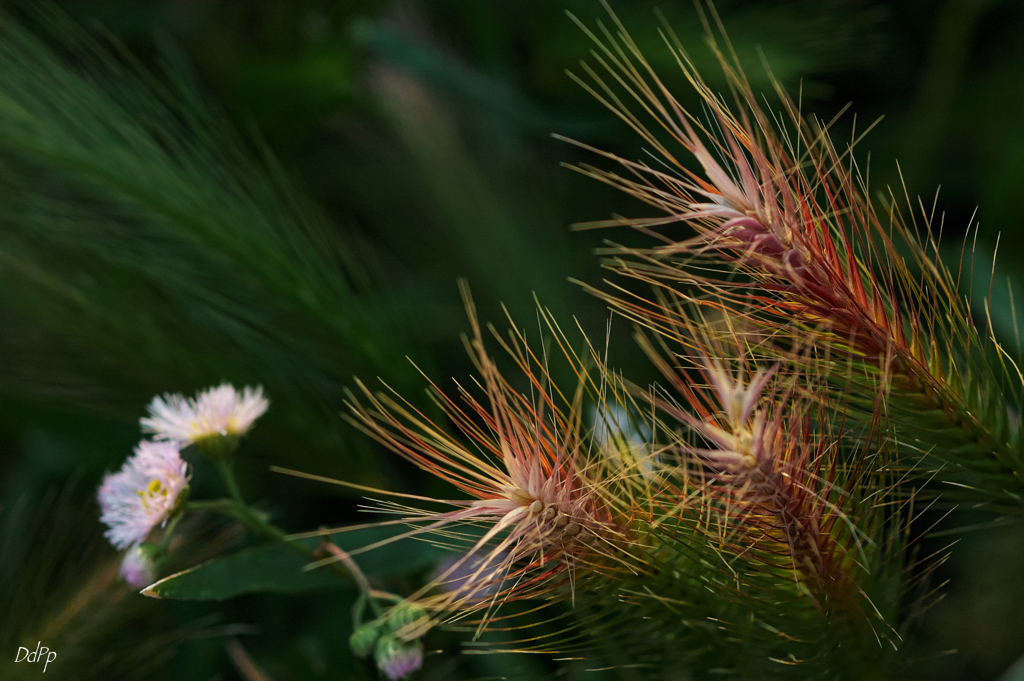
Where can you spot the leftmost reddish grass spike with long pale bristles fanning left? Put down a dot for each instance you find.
(525, 469)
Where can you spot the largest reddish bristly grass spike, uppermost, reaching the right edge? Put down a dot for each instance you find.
(787, 240)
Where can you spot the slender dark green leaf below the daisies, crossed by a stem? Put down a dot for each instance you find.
(279, 569)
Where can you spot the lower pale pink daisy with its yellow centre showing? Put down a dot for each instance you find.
(144, 494)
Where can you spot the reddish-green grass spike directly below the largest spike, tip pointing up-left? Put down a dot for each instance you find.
(781, 494)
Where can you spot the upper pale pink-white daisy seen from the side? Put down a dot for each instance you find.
(217, 412)
